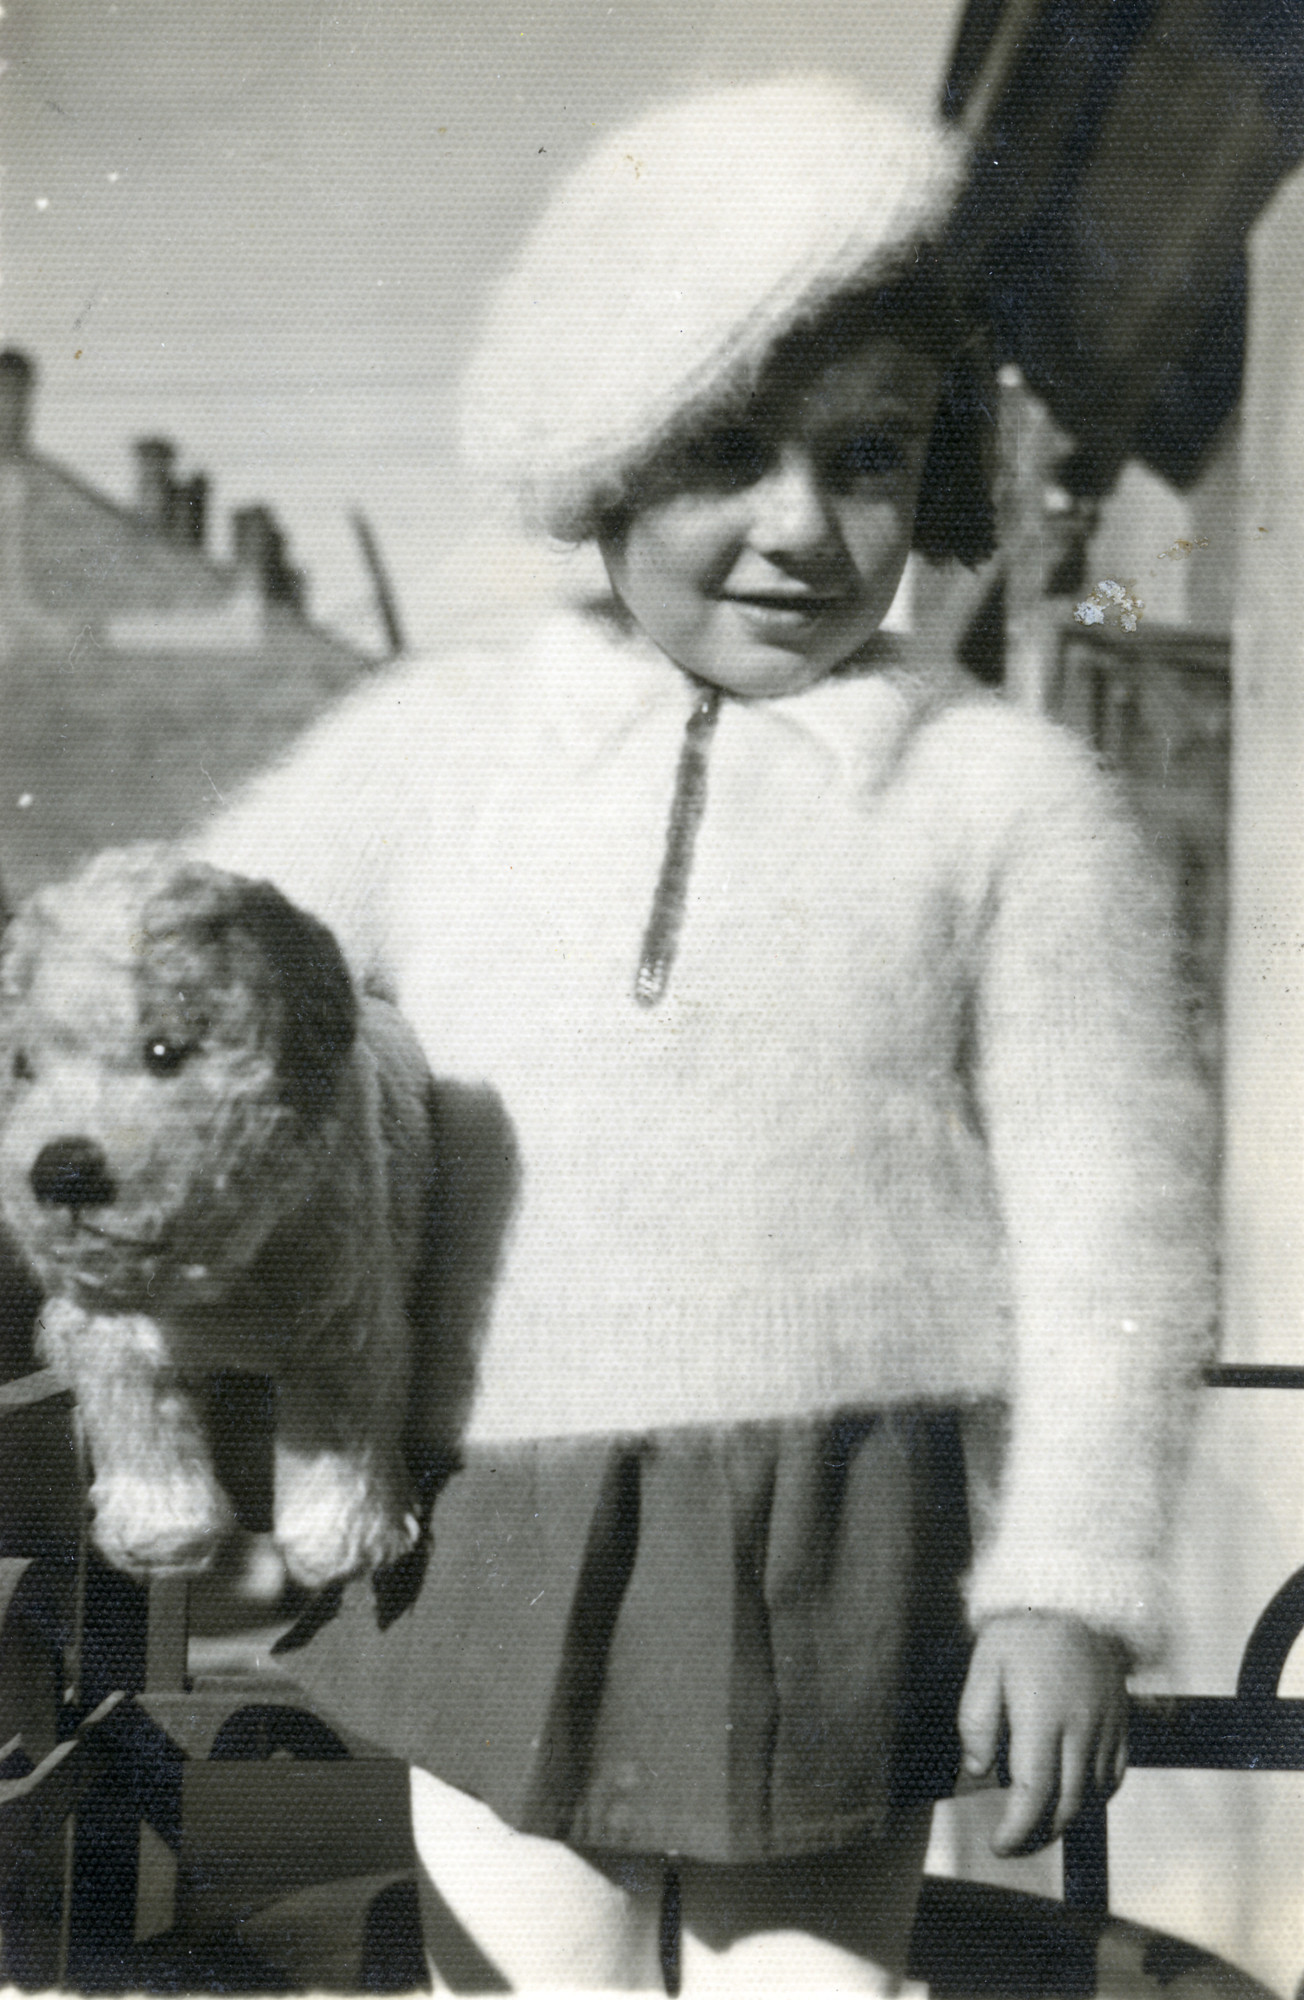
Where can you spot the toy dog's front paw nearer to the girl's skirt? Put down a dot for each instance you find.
(335, 1519)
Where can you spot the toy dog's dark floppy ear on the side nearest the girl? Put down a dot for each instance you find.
(287, 955)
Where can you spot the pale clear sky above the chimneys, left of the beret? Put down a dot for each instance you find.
(267, 229)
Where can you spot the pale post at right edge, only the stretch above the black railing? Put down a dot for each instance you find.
(1265, 1071)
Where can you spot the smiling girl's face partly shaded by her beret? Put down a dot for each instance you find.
(779, 541)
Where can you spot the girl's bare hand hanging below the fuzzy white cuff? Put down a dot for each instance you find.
(1061, 1693)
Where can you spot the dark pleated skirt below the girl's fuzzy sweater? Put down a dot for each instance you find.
(729, 1643)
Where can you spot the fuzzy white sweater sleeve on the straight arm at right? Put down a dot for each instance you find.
(1099, 1141)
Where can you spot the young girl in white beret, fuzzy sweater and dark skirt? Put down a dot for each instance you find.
(811, 1091)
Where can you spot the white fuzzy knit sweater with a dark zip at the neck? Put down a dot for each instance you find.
(913, 1123)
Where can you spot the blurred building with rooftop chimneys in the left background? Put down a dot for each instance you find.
(143, 675)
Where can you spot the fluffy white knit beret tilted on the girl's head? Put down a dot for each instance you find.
(671, 263)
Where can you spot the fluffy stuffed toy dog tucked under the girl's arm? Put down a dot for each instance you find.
(215, 1155)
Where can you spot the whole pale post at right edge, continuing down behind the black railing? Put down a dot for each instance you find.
(1251, 1475)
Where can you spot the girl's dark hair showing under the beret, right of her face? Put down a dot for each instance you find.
(955, 515)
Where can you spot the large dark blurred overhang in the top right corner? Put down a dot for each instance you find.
(1123, 151)
